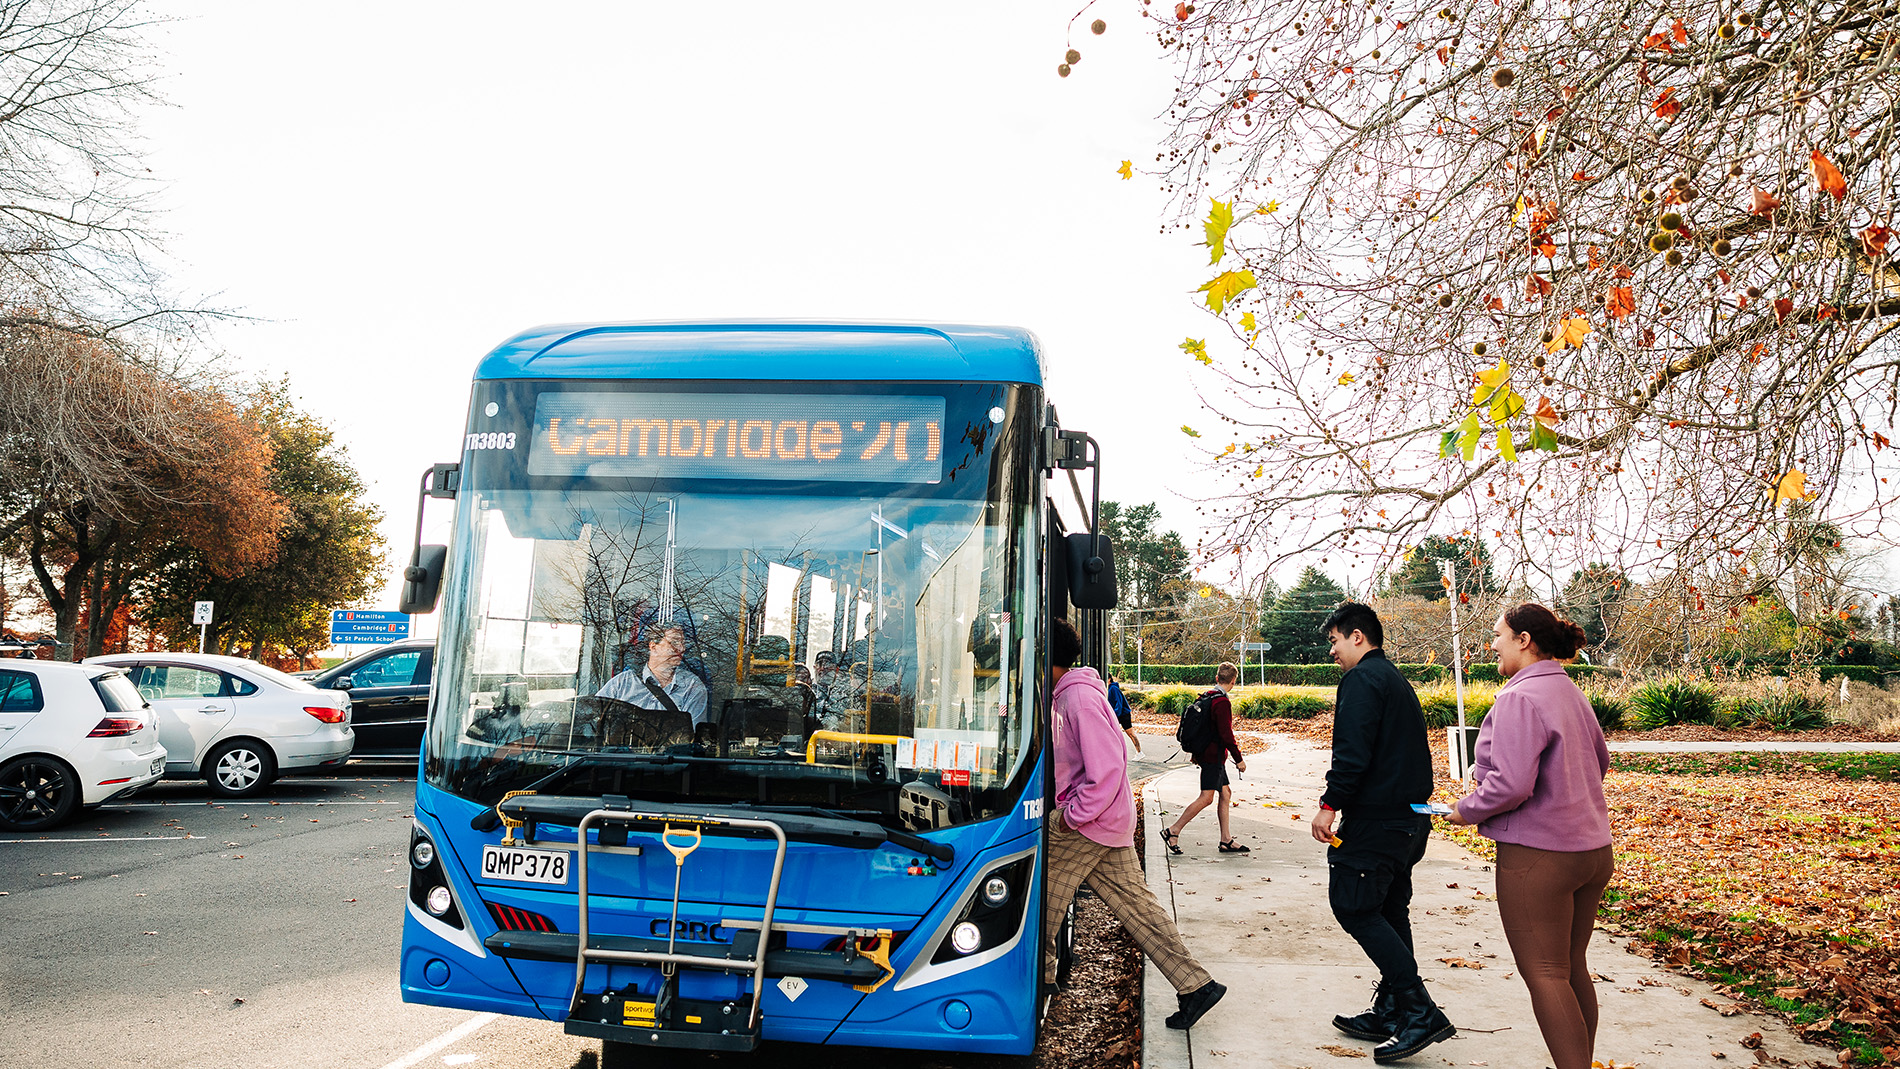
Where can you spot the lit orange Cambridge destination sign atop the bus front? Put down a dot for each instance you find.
(738, 436)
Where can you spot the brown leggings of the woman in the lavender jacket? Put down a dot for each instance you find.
(1548, 901)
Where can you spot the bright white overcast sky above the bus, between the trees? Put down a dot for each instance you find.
(390, 191)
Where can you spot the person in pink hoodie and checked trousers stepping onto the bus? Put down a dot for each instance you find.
(1090, 833)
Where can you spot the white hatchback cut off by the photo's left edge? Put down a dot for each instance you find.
(71, 736)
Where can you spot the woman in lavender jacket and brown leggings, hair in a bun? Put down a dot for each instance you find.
(1540, 795)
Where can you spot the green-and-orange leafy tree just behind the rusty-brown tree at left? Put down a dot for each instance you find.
(328, 550)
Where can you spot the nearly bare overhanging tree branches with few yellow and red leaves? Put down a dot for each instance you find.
(1601, 282)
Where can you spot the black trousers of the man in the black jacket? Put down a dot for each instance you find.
(1371, 890)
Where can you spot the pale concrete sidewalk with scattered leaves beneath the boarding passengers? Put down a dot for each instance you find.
(1263, 928)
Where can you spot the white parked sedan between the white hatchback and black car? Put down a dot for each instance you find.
(235, 722)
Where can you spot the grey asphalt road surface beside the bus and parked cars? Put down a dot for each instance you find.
(178, 931)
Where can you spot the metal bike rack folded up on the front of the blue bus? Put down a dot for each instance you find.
(655, 1019)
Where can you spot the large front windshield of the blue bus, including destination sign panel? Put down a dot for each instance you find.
(744, 595)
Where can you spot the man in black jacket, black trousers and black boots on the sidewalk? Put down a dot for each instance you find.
(1380, 766)
